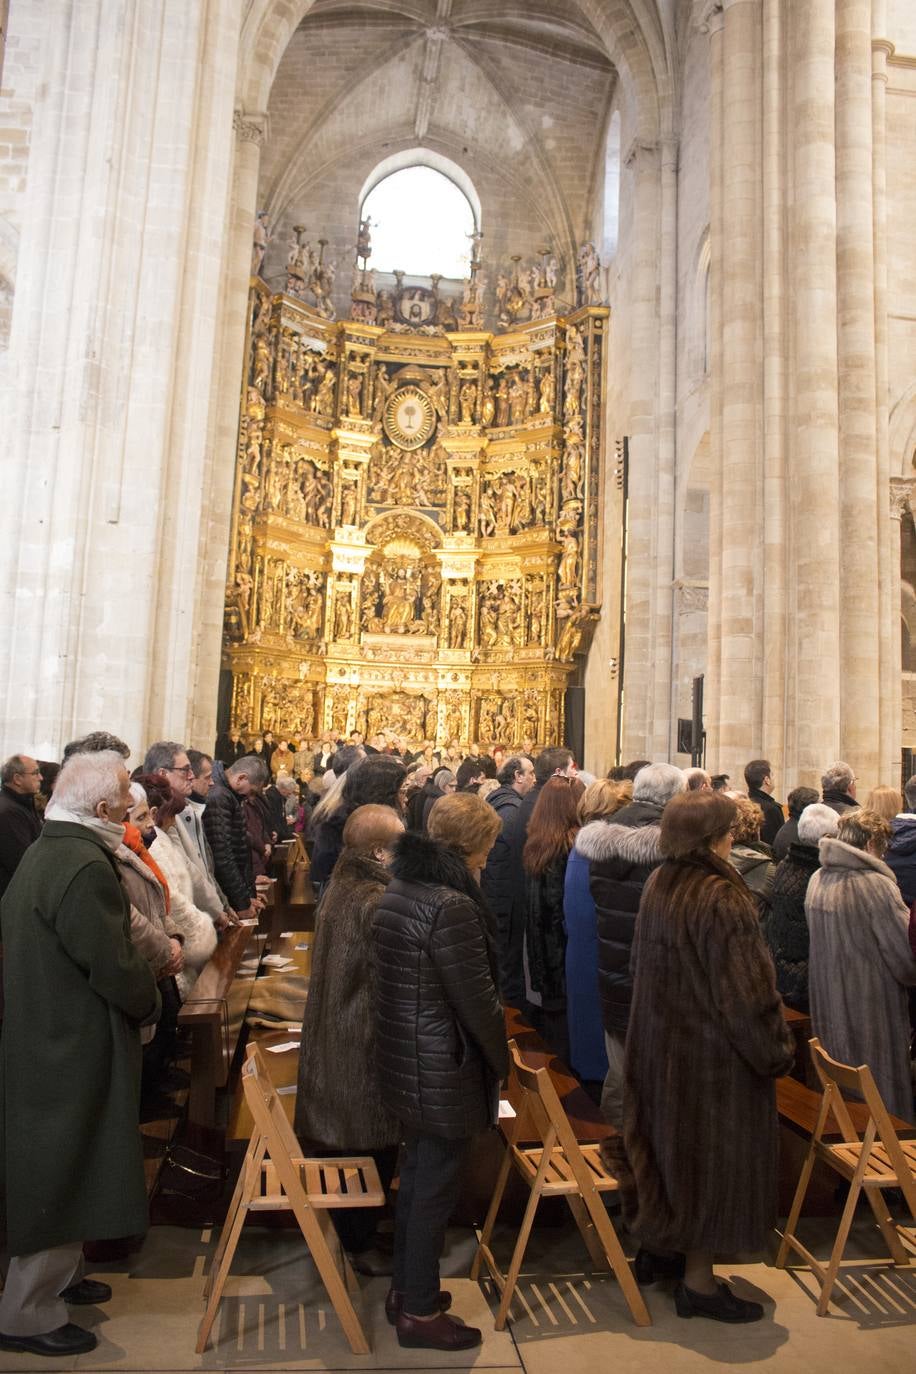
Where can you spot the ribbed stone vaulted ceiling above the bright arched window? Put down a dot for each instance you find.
(521, 89)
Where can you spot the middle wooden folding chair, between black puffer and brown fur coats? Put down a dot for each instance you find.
(557, 1167)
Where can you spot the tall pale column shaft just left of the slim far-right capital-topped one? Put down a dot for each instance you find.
(859, 484)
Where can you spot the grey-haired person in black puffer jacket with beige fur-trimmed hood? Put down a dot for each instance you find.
(623, 853)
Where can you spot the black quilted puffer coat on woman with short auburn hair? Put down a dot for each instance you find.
(440, 1033)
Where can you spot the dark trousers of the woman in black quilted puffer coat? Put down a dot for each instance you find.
(428, 1193)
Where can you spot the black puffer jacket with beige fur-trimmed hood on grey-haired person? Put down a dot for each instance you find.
(623, 854)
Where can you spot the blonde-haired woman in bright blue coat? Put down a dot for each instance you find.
(586, 1028)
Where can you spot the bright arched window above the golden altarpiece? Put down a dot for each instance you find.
(422, 218)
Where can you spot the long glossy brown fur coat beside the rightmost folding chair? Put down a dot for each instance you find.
(707, 1039)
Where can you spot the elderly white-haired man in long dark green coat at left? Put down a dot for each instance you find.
(76, 995)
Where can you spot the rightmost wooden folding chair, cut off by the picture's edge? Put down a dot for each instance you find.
(873, 1163)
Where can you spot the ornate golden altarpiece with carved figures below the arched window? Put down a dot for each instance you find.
(415, 523)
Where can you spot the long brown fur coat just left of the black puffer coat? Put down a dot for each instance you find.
(339, 1104)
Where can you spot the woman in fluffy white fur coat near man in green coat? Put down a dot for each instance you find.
(165, 847)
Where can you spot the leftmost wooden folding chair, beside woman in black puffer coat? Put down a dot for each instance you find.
(277, 1178)
